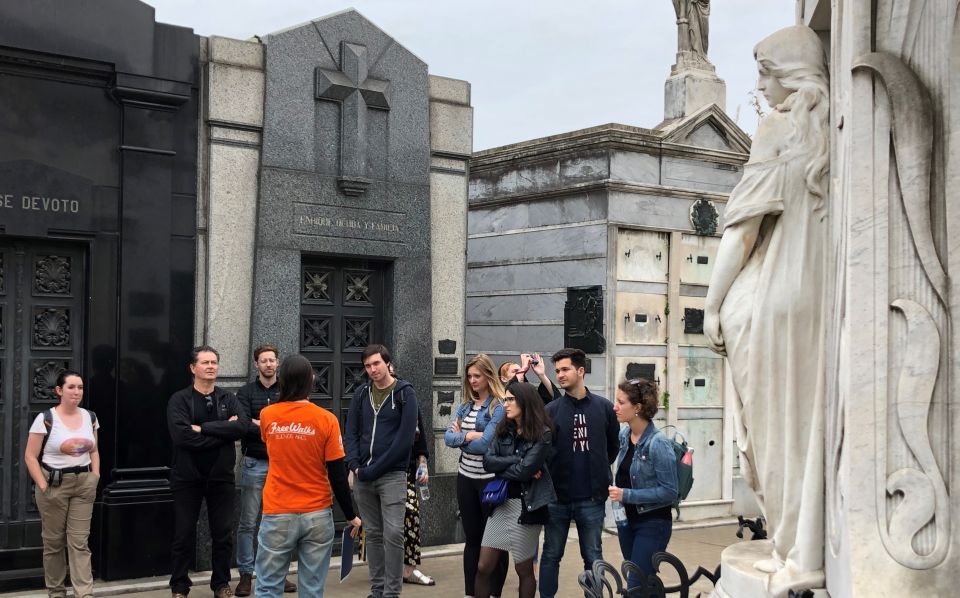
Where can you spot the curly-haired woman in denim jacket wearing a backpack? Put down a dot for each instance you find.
(645, 478)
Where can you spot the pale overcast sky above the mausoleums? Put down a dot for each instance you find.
(537, 67)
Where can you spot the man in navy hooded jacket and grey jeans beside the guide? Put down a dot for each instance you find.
(378, 438)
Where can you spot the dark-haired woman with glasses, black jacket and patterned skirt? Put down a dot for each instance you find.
(518, 454)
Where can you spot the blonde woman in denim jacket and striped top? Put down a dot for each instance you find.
(471, 430)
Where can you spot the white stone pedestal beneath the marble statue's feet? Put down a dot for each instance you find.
(739, 579)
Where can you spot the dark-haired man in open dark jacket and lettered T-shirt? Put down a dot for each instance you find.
(586, 443)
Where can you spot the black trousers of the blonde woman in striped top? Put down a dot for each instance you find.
(473, 517)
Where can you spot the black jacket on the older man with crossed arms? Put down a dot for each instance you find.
(208, 455)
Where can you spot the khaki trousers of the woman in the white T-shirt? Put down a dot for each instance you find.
(65, 514)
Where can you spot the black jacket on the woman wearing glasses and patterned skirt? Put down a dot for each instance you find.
(517, 460)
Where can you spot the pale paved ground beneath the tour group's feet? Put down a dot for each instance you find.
(695, 547)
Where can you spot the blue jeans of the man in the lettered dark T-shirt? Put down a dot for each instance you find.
(588, 515)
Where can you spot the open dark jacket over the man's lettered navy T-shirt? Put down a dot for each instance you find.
(603, 430)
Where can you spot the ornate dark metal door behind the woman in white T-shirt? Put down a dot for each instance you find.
(41, 333)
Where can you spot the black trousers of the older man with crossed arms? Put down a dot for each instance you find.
(186, 509)
